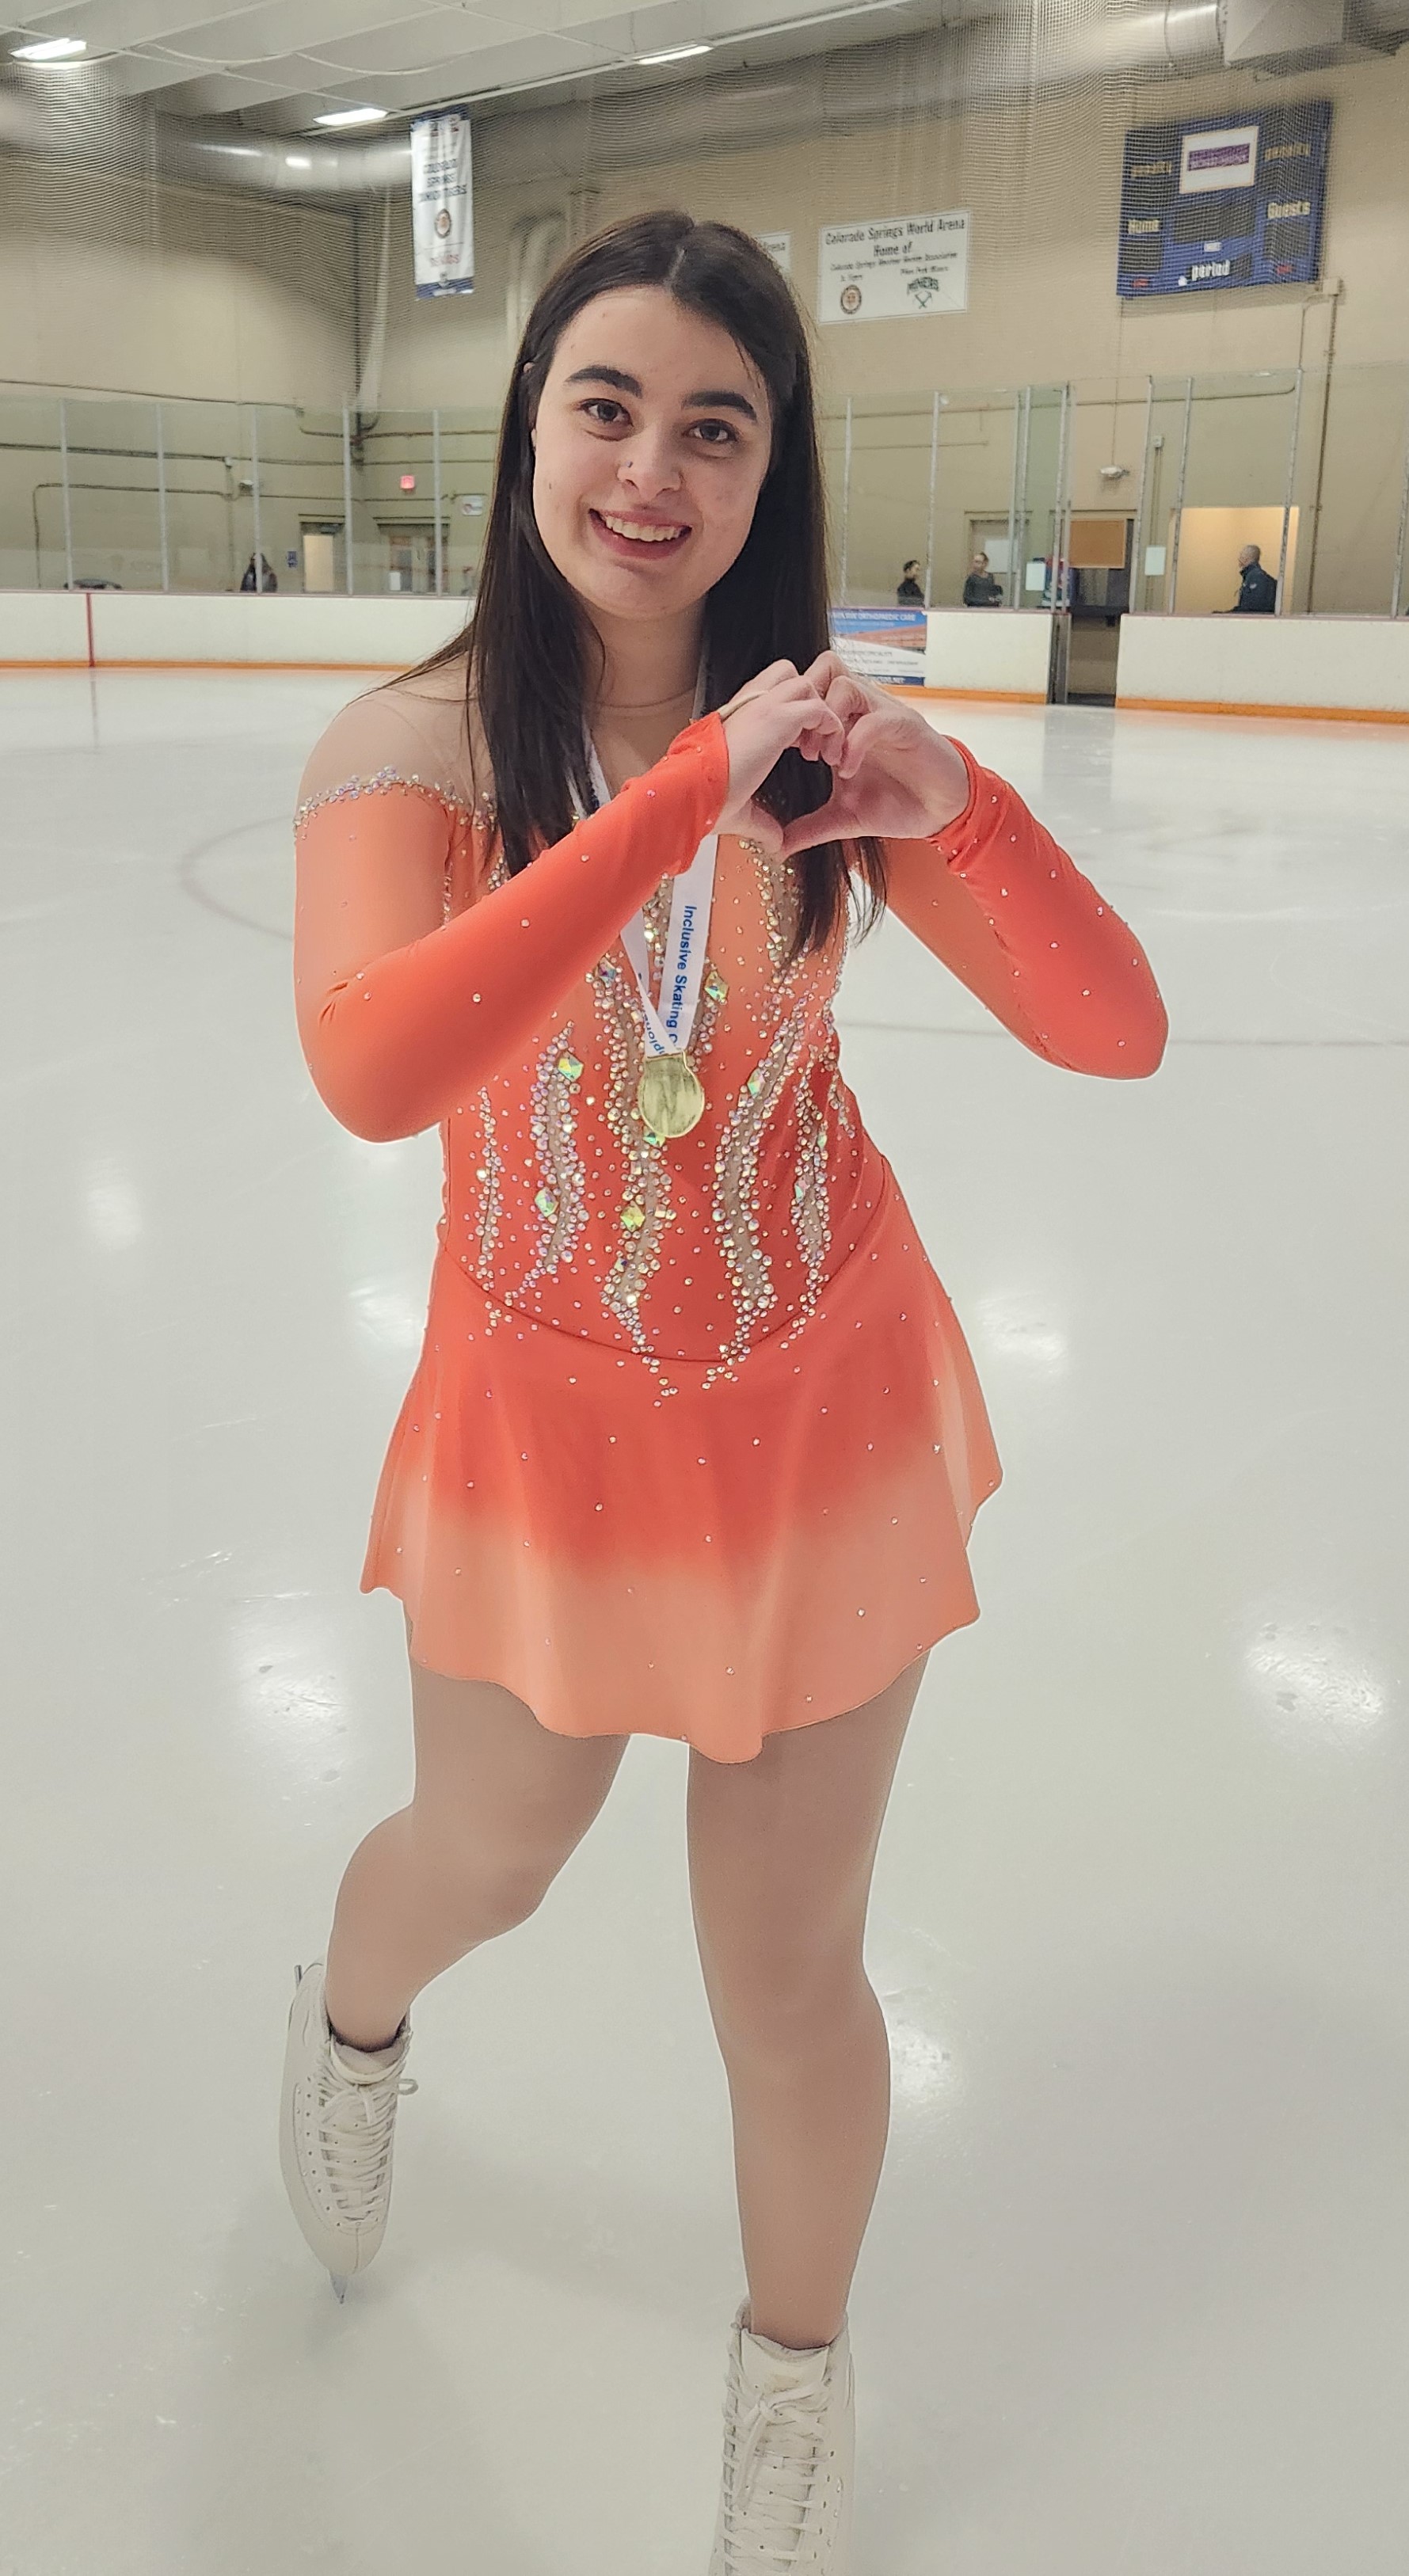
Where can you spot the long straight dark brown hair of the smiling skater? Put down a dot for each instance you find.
(529, 643)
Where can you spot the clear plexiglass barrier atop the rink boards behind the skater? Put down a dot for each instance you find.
(1124, 496)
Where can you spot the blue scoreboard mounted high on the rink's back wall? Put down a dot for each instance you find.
(1225, 205)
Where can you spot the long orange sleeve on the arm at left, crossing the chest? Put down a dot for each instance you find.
(406, 1014)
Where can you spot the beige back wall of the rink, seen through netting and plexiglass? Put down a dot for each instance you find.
(197, 377)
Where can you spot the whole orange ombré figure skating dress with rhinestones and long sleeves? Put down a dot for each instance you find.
(694, 1444)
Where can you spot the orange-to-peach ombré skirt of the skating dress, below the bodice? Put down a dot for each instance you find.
(715, 1565)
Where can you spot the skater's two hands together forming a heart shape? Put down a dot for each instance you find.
(893, 774)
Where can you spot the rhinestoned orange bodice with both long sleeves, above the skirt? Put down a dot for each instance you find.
(439, 990)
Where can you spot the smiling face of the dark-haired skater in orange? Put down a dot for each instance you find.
(650, 452)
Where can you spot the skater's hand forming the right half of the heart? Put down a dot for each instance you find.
(893, 779)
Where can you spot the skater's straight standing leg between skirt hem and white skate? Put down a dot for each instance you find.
(782, 1856)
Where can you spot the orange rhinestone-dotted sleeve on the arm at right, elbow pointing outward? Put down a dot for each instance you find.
(1019, 923)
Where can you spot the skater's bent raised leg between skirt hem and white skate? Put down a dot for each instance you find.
(498, 1807)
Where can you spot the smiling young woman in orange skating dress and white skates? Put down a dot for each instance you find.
(694, 1444)
